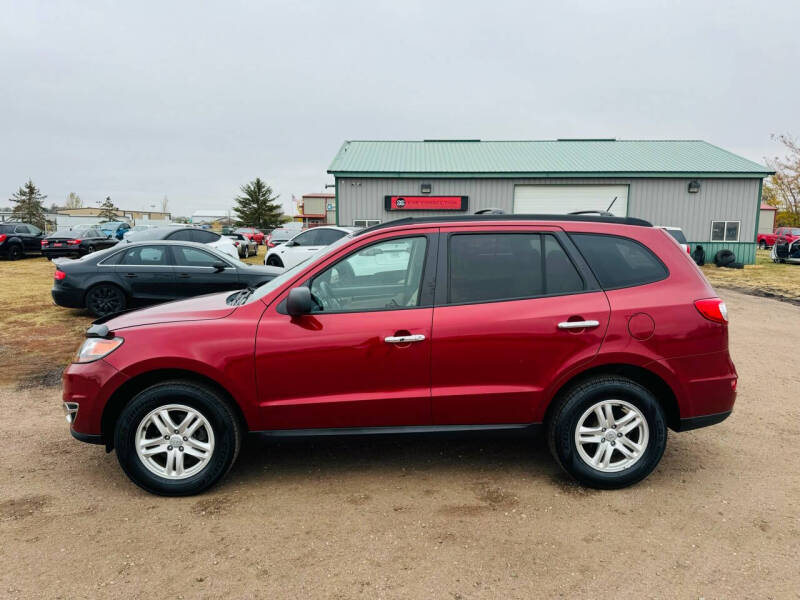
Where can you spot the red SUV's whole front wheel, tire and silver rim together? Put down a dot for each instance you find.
(177, 438)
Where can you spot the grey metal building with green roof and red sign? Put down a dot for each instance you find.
(710, 193)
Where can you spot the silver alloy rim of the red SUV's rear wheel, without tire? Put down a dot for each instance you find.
(611, 435)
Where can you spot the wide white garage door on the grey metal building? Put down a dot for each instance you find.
(561, 199)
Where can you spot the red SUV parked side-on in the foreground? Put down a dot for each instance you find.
(601, 331)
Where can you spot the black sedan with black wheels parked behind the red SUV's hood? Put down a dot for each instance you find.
(143, 273)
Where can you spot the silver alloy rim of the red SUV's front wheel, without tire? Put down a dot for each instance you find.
(174, 441)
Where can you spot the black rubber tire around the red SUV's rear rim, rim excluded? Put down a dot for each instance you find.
(571, 406)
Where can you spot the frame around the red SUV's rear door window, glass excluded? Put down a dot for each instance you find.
(590, 282)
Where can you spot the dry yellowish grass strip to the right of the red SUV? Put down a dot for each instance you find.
(763, 278)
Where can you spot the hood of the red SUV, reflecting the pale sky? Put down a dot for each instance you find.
(200, 308)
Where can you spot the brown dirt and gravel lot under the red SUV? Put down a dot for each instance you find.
(477, 517)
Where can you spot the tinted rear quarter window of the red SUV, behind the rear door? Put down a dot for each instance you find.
(619, 262)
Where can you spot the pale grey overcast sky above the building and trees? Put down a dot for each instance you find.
(138, 100)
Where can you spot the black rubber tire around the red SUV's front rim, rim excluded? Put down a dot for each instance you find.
(213, 407)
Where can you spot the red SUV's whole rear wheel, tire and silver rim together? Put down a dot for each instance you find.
(608, 432)
